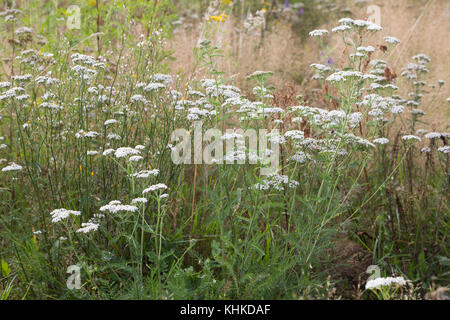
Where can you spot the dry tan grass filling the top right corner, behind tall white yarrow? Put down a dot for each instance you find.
(423, 26)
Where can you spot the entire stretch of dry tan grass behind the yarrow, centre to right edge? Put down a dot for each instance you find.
(422, 25)
